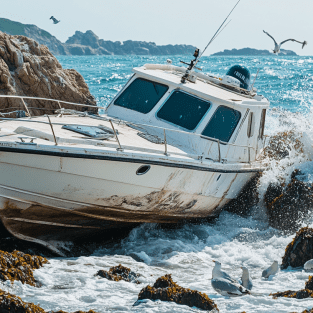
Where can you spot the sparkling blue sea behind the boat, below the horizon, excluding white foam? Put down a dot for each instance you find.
(285, 81)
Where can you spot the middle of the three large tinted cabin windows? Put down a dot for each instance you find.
(183, 110)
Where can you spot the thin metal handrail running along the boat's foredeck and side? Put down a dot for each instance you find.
(125, 122)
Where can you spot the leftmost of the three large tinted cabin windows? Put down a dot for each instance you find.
(141, 95)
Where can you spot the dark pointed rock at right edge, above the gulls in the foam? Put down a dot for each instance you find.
(300, 249)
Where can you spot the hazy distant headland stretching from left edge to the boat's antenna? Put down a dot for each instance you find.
(88, 43)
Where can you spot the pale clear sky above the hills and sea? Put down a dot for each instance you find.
(174, 21)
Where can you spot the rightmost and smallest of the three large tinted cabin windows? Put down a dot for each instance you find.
(222, 124)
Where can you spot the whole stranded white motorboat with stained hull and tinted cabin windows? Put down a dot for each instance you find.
(171, 146)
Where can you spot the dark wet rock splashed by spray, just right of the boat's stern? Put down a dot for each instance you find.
(287, 207)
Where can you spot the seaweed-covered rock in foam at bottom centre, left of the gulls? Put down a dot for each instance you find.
(166, 290)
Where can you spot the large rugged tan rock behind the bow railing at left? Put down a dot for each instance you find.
(29, 69)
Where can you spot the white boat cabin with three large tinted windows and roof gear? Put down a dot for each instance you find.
(218, 118)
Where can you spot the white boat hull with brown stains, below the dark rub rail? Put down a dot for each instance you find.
(45, 198)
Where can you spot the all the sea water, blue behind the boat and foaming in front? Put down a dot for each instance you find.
(187, 252)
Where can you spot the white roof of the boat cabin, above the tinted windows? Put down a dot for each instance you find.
(206, 89)
